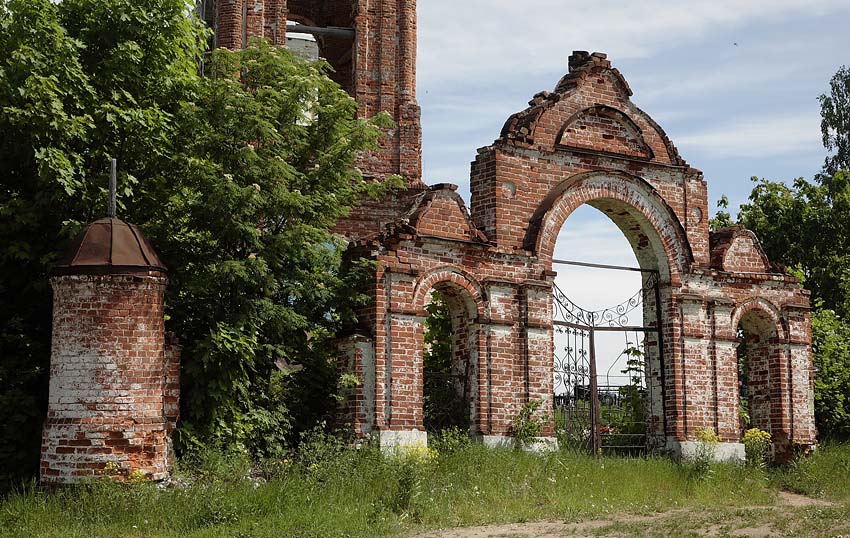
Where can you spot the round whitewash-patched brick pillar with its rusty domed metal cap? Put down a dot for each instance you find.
(109, 366)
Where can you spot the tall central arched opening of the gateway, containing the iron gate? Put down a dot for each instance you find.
(608, 334)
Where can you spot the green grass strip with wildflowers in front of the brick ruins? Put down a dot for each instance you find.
(333, 492)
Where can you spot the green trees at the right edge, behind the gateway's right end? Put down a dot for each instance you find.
(803, 226)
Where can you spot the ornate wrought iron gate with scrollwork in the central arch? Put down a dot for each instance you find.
(620, 408)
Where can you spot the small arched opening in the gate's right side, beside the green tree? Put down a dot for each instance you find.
(758, 349)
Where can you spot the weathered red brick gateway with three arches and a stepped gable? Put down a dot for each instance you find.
(584, 143)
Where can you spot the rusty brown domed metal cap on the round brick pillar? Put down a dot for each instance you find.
(109, 246)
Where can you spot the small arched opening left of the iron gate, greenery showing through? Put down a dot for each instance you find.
(450, 360)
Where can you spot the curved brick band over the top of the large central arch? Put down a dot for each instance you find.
(657, 221)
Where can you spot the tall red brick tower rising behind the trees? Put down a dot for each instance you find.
(371, 45)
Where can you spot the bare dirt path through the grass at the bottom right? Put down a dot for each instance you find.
(753, 521)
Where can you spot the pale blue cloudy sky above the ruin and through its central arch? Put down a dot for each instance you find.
(734, 83)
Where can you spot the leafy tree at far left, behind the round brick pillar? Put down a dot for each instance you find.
(80, 80)
